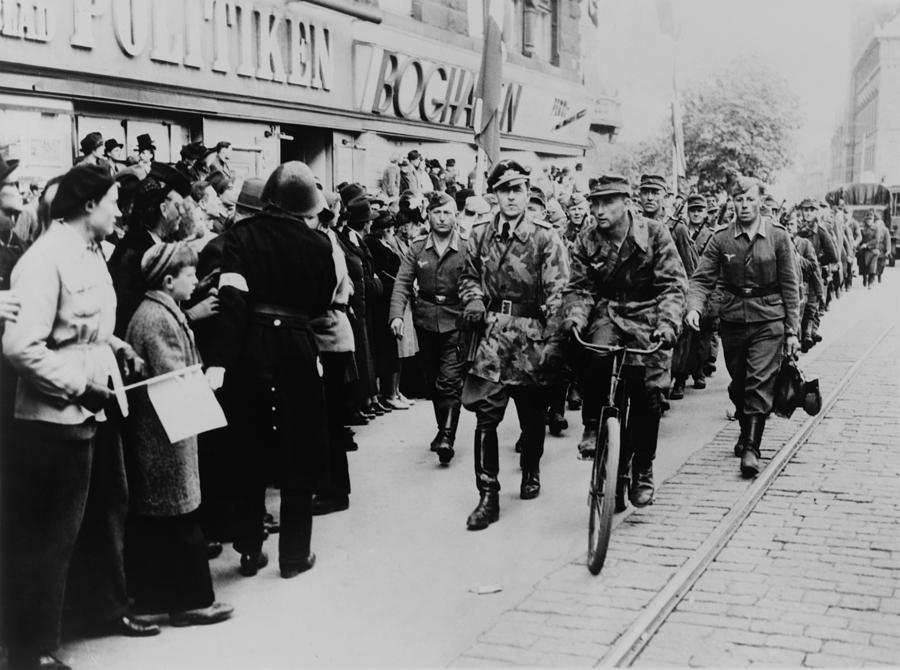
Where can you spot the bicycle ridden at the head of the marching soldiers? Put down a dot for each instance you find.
(605, 467)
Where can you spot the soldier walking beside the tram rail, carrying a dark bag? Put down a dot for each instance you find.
(753, 258)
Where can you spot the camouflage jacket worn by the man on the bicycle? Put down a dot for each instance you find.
(640, 286)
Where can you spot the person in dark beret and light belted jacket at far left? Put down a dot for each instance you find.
(66, 430)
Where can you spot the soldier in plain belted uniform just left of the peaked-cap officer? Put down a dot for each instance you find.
(436, 261)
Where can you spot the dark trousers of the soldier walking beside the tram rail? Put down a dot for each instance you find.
(753, 354)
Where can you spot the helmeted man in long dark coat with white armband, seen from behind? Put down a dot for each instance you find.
(277, 275)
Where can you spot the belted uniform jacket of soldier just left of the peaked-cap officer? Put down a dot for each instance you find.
(437, 306)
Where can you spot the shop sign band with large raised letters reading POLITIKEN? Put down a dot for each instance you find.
(250, 47)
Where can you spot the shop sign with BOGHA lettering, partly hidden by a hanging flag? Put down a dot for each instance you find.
(411, 87)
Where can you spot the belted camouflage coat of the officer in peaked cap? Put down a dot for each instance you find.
(531, 268)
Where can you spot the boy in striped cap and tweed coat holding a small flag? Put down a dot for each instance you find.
(166, 560)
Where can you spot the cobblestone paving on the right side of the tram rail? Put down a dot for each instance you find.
(812, 577)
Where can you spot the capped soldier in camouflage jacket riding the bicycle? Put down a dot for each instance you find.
(627, 288)
